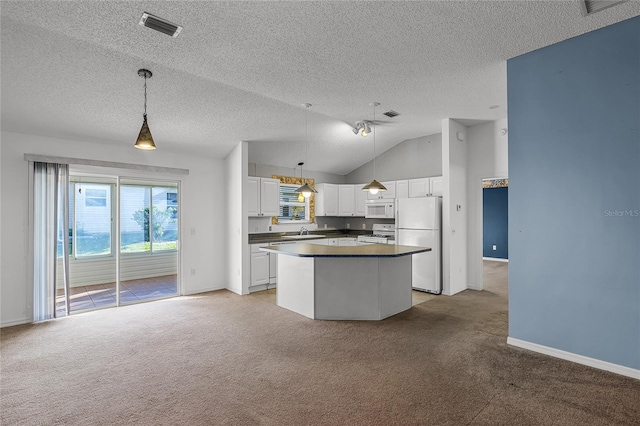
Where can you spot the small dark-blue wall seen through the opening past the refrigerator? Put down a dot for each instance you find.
(495, 222)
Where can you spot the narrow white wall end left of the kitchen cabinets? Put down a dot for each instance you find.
(236, 225)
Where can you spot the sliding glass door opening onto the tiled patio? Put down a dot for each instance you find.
(123, 243)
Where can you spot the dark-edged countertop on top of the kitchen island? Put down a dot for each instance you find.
(369, 250)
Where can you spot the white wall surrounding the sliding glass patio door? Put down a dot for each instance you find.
(202, 249)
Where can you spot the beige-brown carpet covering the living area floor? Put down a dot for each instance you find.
(219, 358)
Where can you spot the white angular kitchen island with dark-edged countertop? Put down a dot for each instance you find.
(367, 282)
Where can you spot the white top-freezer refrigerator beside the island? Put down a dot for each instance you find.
(419, 223)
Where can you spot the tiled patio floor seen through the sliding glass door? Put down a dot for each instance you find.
(104, 295)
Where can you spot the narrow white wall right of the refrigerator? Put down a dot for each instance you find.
(454, 207)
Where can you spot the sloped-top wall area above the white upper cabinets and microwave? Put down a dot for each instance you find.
(413, 158)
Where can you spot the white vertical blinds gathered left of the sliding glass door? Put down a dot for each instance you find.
(51, 240)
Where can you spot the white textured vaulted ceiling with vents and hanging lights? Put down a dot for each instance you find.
(239, 71)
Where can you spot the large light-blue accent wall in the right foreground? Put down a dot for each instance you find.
(574, 195)
